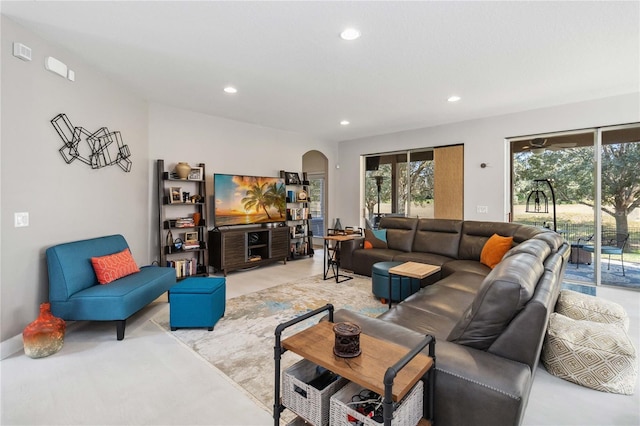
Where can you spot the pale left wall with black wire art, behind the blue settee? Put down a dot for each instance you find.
(65, 202)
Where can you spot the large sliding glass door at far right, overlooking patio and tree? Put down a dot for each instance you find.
(585, 185)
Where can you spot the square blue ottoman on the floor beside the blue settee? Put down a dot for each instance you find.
(197, 302)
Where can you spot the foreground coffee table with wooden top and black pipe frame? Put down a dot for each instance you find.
(384, 367)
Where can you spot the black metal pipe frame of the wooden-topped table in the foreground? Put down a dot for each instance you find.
(389, 376)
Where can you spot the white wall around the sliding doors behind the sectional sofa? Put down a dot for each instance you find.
(484, 142)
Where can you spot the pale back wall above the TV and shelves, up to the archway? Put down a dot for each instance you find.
(226, 146)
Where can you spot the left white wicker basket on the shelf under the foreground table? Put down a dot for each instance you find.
(305, 400)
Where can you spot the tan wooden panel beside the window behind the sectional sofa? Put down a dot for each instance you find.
(449, 182)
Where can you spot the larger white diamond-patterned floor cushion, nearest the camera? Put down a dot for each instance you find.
(592, 354)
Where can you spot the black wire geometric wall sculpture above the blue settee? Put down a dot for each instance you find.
(102, 148)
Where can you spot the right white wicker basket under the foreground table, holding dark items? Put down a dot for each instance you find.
(408, 413)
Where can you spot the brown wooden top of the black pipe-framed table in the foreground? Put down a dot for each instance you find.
(316, 344)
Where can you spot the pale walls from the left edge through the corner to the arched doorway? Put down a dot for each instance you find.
(67, 202)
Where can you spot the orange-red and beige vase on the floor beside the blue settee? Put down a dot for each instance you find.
(45, 335)
